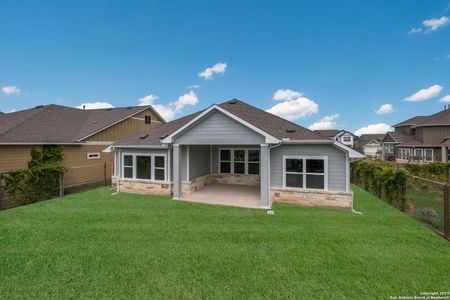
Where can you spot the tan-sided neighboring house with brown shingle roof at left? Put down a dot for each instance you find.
(83, 134)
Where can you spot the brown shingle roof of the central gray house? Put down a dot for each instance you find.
(269, 123)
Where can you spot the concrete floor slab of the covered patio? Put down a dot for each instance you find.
(227, 194)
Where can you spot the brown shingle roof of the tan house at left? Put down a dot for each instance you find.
(59, 124)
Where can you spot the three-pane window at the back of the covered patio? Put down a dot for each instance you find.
(239, 161)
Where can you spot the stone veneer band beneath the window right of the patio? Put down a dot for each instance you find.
(317, 198)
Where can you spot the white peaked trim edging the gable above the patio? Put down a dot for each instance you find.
(170, 138)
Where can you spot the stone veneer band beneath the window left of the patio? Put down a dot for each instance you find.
(145, 187)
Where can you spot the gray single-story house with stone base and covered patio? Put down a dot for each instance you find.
(236, 143)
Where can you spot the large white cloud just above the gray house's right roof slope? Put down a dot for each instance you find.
(295, 109)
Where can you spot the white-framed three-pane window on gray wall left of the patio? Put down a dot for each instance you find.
(144, 166)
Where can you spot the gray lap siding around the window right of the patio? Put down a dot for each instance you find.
(336, 163)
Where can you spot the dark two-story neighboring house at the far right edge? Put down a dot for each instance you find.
(420, 139)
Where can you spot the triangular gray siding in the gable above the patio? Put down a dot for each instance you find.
(216, 129)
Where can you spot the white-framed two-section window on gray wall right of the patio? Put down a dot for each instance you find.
(305, 172)
